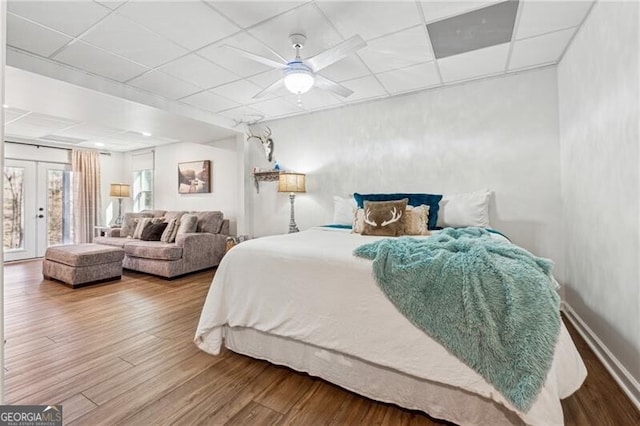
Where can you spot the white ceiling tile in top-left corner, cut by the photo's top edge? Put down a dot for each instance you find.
(70, 17)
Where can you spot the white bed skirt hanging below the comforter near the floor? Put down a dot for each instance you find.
(376, 382)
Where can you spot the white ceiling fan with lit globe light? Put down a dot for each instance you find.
(299, 75)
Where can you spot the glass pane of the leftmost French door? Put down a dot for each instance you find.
(13, 208)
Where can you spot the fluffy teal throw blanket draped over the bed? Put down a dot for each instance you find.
(490, 303)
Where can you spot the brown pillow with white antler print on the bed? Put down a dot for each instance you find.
(384, 218)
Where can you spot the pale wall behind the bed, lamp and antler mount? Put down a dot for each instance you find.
(500, 133)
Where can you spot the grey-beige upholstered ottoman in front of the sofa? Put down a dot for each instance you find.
(82, 264)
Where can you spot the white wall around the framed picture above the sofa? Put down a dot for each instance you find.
(227, 194)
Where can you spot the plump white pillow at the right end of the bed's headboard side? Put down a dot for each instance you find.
(462, 210)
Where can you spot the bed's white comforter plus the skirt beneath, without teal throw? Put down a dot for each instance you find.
(305, 301)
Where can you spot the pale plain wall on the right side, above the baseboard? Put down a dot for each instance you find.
(599, 91)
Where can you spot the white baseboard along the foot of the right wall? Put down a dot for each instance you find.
(620, 374)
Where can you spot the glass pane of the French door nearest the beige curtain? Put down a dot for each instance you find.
(59, 207)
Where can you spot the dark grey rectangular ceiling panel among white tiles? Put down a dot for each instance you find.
(481, 28)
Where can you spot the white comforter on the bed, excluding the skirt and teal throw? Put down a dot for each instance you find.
(309, 287)
